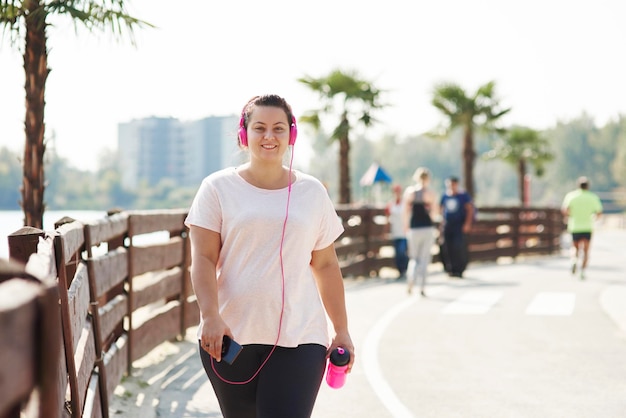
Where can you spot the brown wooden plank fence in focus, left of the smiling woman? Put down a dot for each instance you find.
(118, 298)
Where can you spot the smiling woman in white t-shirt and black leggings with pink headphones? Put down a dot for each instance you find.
(265, 273)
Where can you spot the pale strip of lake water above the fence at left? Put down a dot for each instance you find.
(12, 220)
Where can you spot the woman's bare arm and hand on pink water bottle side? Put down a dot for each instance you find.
(325, 268)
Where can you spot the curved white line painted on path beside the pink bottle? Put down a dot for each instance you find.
(372, 368)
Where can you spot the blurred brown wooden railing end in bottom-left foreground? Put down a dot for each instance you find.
(30, 344)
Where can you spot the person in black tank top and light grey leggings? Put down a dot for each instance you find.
(419, 204)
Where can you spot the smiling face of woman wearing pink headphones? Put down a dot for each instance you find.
(268, 133)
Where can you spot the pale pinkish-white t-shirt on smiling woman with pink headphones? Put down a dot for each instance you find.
(250, 222)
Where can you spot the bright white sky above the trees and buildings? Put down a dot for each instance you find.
(551, 61)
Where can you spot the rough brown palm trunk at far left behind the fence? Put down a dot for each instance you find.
(36, 72)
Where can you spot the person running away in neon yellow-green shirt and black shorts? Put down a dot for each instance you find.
(581, 207)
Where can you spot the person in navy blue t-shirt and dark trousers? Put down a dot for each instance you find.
(457, 213)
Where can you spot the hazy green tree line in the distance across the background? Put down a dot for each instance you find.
(579, 147)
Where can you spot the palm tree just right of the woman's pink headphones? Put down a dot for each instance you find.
(354, 99)
